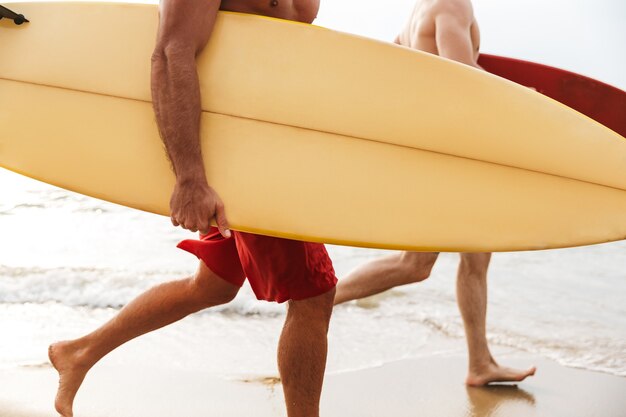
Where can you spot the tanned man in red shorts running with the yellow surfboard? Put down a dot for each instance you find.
(277, 269)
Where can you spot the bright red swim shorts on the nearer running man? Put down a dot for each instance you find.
(277, 269)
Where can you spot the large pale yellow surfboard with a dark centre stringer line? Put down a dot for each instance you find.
(310, 134)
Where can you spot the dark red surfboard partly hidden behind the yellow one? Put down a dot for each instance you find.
(602, 102)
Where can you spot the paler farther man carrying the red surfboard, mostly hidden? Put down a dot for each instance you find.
(449, 29)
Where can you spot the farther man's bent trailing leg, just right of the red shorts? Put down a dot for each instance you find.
(385, 273)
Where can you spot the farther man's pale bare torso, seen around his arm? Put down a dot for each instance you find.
(419, 32)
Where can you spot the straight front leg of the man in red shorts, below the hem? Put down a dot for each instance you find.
(302, 353)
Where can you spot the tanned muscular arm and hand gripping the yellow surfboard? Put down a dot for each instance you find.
(185, 27)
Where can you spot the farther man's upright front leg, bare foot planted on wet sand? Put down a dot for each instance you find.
(471, 288)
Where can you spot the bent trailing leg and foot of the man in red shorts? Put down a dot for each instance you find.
(157, 307)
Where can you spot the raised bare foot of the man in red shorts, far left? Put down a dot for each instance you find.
(67, 359)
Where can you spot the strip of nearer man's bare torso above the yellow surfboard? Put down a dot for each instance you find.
(298, 10)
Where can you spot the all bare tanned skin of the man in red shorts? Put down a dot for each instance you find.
(185, 28)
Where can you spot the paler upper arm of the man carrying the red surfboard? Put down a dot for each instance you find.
(453, 24)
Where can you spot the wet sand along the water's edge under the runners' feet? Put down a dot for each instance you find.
(425, 387)
